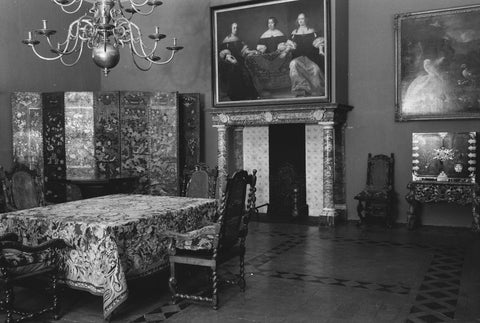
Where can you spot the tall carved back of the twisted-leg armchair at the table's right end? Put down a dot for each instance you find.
(234, 216)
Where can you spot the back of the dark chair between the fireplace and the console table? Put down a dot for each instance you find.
(380, 172)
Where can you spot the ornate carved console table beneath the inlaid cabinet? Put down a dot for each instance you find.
(434, 192)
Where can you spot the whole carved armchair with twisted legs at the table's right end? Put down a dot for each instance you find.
(215, 242)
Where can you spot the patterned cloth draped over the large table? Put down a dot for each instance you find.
(114, 237)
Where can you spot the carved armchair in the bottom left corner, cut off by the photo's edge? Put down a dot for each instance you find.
(19, 262)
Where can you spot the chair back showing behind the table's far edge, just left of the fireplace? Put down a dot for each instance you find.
(201, 182)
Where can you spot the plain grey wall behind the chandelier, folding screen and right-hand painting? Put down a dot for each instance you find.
(369, 45)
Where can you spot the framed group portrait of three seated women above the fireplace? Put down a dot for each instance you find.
(270, 52)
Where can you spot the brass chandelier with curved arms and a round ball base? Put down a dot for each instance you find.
(103, 29)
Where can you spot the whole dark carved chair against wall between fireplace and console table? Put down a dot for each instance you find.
(377, 198)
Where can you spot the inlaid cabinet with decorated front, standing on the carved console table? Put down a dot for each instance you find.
(444, 156)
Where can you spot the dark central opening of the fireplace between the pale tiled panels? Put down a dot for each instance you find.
(287, 170)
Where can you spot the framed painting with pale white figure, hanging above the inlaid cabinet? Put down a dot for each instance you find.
(438, 64)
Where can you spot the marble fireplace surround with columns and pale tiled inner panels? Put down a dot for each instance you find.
(243, 144)
